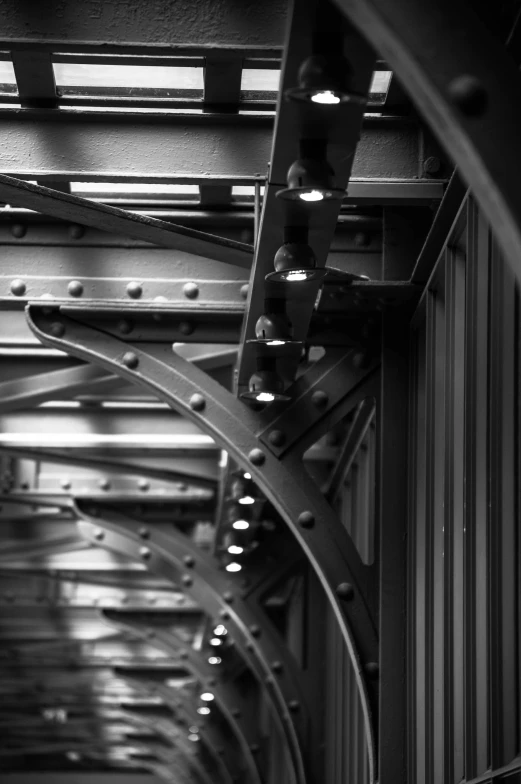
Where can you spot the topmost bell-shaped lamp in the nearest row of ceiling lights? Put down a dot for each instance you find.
(325, 79)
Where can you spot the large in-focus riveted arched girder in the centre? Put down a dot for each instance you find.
(323, 539)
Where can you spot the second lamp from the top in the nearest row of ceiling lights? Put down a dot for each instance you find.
(310, 177)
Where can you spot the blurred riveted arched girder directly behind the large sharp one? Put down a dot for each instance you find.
(167, 553)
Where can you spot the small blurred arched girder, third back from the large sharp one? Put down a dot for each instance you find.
(228, 697)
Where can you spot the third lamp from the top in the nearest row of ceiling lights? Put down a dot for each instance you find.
(295, 261)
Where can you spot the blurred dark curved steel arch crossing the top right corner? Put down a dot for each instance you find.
(468, 89)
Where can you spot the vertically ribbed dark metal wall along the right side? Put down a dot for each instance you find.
(464, 573)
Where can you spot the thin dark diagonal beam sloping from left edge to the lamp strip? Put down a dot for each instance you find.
(112, 219)
